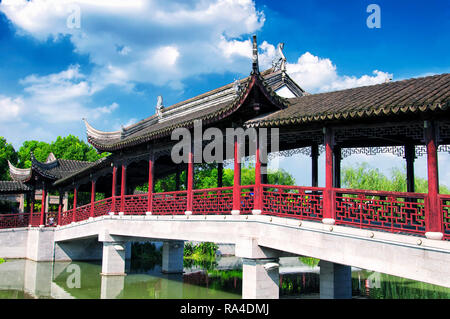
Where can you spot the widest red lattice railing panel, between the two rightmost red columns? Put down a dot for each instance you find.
(391, 211)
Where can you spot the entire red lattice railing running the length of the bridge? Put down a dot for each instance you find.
(389, 211)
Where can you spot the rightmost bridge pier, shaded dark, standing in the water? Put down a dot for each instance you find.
(335, 281)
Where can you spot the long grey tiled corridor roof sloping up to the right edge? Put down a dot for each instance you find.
(416, 95)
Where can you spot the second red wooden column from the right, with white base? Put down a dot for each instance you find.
(328, 198)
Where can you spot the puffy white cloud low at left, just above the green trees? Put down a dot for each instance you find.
(50, 105)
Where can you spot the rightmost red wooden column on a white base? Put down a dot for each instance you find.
(434, 216)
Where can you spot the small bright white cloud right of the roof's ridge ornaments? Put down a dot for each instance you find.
(316, 74)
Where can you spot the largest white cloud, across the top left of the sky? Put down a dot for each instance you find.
(158, 42)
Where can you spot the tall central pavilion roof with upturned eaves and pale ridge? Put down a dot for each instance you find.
(208, 107)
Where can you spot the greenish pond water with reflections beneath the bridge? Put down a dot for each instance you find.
(221, 279)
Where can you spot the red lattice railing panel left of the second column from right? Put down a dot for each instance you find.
(293, 201)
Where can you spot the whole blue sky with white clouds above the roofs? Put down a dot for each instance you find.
(111, 67)
